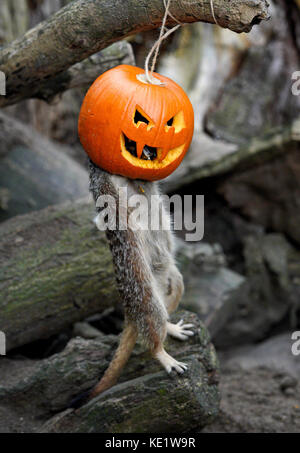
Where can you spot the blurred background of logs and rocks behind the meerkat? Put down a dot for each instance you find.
(243, 278)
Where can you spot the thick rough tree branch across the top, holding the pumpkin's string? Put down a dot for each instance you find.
(84, 27)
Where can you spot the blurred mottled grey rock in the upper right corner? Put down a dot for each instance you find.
(245, 107)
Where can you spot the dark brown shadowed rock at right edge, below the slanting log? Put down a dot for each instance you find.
(255, 194)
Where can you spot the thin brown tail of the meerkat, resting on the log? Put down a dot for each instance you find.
(122, 354)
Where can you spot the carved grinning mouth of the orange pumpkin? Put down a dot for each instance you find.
(151, 156)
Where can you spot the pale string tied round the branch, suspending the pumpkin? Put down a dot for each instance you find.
(164, 33)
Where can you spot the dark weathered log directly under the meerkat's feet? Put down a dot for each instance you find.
(154, 402)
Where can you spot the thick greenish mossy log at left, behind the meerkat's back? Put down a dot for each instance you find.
(55, 269)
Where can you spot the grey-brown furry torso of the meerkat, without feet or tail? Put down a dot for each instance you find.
(148, 280)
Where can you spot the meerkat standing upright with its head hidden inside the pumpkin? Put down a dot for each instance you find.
(149, 282)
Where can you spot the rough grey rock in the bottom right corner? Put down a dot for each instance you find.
(260, 389)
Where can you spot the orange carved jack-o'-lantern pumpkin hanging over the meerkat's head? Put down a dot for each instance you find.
(133, 128)
